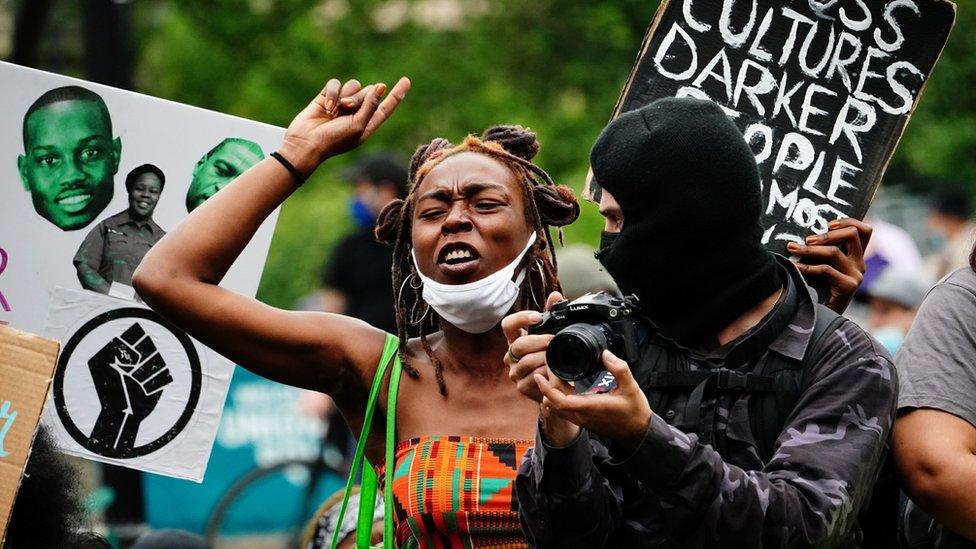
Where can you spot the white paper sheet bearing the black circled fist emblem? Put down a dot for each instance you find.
(131, 388)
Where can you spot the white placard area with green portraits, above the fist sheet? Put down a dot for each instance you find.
(94, 176)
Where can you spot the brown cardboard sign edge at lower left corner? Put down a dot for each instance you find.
(26, 367)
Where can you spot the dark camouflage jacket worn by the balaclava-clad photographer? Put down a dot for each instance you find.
(676, 491)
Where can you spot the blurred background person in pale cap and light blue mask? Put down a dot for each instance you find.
(893, 300)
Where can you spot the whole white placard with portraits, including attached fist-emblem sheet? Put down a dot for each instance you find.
(94, 177)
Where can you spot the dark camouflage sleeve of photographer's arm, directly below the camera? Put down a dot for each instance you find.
(564, 501)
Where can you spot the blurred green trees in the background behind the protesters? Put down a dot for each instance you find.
(556, 66)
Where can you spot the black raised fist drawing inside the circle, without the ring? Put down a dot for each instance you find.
(129, 375)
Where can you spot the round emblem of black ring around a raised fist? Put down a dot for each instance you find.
(128, 361)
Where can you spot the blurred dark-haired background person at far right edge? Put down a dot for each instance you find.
(953, 231)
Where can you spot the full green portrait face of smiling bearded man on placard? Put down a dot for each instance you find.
(70, 157)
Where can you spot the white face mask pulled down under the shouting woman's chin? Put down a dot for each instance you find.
(478, 306)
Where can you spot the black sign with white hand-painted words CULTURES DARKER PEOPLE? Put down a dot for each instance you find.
(822, 90)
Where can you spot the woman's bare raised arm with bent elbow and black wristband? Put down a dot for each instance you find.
(179, 276)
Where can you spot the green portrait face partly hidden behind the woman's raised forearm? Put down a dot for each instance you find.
(221, 165)
